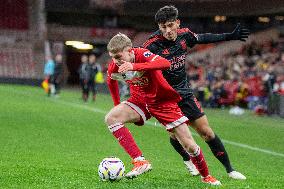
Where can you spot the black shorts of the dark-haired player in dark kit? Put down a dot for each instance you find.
(191, 108)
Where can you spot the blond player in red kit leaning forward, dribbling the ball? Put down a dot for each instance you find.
(150, 95)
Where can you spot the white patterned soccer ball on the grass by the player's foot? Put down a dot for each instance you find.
(111, 169)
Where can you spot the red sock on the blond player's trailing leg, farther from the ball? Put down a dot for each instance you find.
(198, 160)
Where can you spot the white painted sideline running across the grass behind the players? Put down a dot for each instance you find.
(158, 125)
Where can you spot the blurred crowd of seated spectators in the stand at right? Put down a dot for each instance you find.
(245, 78)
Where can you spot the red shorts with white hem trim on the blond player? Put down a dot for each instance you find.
(168, 114)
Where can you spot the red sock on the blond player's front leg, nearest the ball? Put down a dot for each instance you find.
(125, 139)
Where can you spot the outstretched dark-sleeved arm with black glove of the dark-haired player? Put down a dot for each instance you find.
(239, 33)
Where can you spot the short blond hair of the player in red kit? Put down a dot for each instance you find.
(118, 43)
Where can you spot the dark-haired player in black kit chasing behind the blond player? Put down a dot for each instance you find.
(172, 43)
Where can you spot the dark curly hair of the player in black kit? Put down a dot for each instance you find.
(165, 14)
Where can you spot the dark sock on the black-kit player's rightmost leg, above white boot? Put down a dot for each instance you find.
(220, 153)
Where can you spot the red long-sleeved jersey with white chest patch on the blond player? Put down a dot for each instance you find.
(146, 81)
